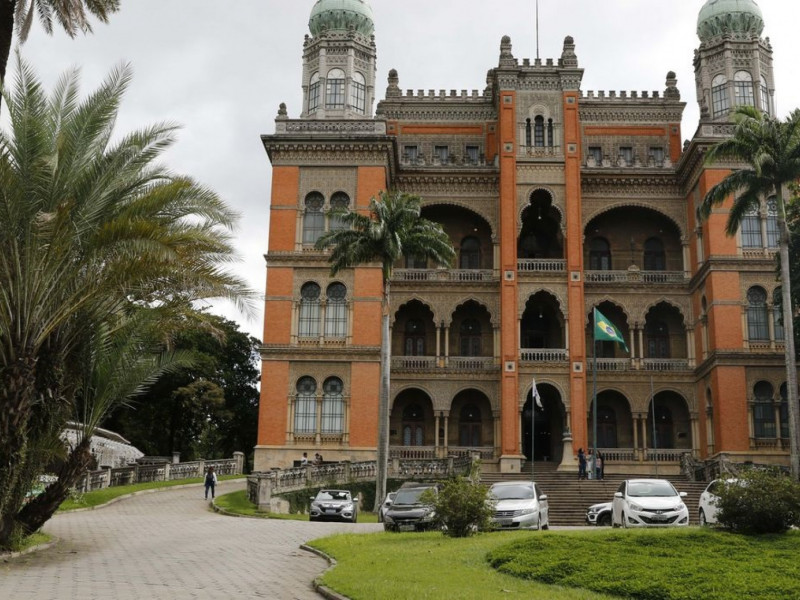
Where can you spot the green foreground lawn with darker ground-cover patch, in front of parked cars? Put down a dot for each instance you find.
(685, 564)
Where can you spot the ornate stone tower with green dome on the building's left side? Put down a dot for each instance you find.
(339, 61)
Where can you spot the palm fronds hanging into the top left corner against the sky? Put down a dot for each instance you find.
(72, 15)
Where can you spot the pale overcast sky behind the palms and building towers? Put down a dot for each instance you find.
(221, 68)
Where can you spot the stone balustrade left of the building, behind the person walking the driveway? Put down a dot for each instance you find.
(164, 471)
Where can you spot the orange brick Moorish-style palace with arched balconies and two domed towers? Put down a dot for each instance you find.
(557, 200)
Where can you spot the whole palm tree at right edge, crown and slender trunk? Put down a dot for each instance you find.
(771, 150)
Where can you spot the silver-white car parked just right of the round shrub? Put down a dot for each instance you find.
(519, 505)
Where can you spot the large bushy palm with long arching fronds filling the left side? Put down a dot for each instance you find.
(90, 230)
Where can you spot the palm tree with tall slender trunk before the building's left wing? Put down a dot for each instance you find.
(393, 229)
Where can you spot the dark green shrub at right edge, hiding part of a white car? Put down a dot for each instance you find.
(759, 502)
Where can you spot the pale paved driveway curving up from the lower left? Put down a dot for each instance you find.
(169, 545)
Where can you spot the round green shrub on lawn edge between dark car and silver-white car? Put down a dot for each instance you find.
(461, 505)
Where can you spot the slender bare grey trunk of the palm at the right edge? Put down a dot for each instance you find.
(788, 328)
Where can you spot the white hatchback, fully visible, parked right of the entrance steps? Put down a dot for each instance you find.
(648, 503)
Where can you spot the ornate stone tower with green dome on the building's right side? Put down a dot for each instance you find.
(733, 66)
